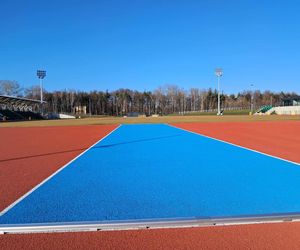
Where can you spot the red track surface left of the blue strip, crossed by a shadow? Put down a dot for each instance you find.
(30, 155)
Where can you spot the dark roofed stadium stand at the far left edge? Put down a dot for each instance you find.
(16, 109)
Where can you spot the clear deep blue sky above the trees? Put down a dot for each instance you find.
(141, 45)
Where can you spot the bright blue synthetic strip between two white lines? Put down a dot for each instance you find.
(161, 172)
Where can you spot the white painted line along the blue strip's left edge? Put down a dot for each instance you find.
(5, 210)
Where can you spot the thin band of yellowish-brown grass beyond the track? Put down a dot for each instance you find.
(162, 119)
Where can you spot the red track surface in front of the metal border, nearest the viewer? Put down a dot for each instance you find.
(261, 236)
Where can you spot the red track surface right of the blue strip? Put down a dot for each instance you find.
(279, 138)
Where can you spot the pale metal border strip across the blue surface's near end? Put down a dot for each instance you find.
(146, 224)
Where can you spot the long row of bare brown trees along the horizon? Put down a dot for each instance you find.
(164, 100)
